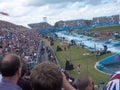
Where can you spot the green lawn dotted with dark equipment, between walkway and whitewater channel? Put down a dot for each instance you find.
(77, 57)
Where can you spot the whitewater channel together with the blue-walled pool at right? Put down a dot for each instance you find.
(107, 65)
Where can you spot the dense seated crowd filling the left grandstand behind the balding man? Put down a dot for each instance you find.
(22, 41)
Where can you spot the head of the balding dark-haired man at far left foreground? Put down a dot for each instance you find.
(10, 65)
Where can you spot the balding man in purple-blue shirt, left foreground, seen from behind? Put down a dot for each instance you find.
(10, 68)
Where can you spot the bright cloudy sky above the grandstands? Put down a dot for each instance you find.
(23, 12)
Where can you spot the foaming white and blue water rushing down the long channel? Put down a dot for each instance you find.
(91, 43)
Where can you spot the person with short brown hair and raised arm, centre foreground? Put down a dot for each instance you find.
(47, 76)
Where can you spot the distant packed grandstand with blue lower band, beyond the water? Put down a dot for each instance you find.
(44, 27)
